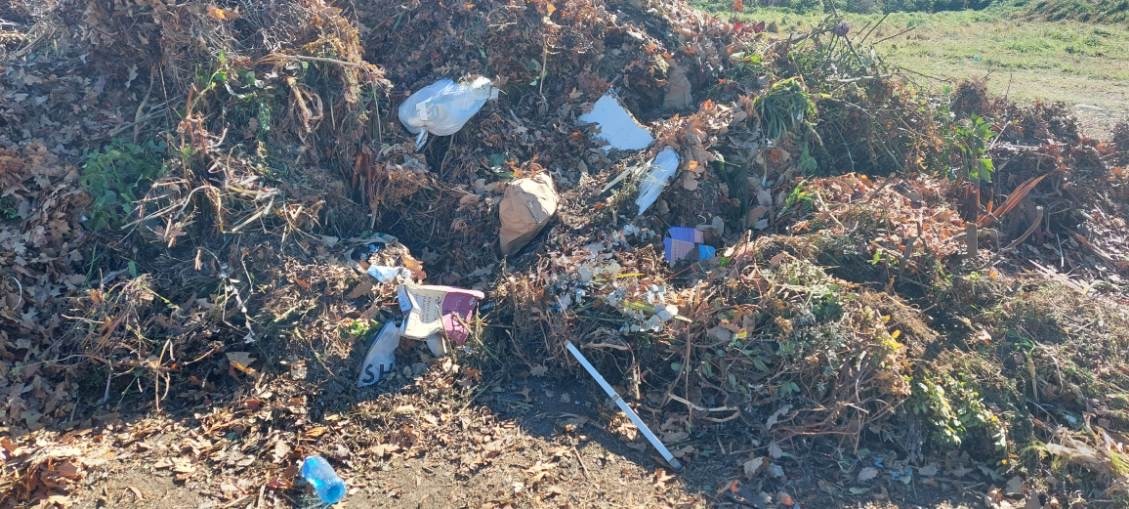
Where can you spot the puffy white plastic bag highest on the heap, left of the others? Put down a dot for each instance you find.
(443, 108)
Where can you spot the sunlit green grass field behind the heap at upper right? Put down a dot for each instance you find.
(1083, 65)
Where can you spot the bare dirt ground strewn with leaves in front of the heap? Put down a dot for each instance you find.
(535, 443)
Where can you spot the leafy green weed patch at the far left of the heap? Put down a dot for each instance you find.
(117, 177)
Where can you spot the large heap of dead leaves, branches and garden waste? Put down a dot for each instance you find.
(925, 288)
